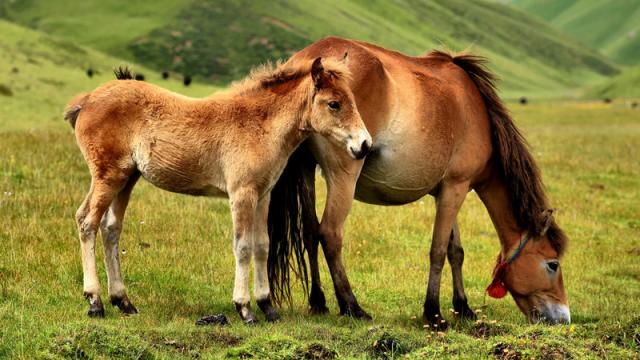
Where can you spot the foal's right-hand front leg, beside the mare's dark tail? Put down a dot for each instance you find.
(261, 290)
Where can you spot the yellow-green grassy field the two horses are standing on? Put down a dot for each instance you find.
(178, 263)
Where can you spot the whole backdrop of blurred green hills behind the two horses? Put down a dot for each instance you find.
(543, 49)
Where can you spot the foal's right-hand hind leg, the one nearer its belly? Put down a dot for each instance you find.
(111, 228)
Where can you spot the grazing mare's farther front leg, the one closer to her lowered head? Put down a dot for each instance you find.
(455, 254)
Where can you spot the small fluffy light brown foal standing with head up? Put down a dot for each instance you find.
(234, 144)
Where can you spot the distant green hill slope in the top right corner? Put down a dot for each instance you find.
(612, 27)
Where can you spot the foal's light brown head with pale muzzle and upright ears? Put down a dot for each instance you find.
(333, 111)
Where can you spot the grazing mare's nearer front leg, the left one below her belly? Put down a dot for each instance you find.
(448, 202)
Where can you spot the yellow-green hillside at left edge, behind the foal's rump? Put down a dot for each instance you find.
(41, 73)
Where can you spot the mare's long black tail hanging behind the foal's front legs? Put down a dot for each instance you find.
(292, 222)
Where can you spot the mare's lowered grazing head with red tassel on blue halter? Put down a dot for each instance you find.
(533, 276)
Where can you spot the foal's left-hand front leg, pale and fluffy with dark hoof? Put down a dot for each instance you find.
(243, 205)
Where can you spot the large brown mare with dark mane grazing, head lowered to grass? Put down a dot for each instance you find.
(438, 128)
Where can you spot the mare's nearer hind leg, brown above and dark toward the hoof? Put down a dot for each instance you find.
(341, 175)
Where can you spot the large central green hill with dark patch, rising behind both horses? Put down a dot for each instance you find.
(219, 41)
